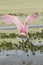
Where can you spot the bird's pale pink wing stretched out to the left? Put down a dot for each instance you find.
(9, 19)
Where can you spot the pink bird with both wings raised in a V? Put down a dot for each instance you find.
(23, 29)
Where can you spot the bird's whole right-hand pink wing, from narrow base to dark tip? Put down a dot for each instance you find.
(29, 19)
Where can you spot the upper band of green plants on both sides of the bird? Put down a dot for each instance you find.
(36, 35)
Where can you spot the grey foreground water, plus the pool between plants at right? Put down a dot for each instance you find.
(20, 57)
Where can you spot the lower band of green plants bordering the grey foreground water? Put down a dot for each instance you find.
(20, 46)
